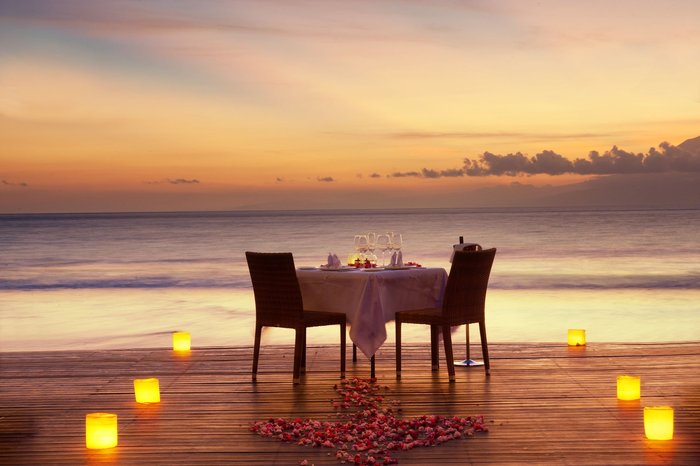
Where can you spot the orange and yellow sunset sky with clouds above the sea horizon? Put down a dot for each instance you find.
(217, 105)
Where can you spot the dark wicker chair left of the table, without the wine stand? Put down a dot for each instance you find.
(278, 303)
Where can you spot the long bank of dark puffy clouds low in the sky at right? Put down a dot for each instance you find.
(667, 158)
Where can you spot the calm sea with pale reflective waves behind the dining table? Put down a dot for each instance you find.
(127, 280)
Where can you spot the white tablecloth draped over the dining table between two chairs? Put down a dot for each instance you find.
(370, 299)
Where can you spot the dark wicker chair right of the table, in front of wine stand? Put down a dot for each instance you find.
(463, 303)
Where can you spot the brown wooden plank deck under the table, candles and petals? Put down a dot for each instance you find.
(544, 404)
